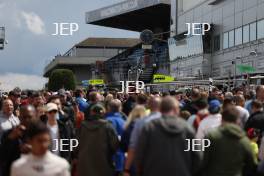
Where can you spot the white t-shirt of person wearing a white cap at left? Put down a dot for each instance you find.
(54, 133)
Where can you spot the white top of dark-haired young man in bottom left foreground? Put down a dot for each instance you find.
(49, 165)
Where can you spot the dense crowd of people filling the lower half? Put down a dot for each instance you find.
(143, 134)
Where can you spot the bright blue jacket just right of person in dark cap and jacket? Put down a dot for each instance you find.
(118, 123)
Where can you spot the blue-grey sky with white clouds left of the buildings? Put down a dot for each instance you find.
(31, 45)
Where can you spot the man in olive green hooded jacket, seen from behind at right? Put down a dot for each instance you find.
(230, 151)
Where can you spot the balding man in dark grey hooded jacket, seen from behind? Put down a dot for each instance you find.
(160, 148)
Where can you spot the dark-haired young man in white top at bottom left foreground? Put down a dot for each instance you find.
(40, 161)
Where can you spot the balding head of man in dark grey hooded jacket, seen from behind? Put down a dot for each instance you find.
(169, 106)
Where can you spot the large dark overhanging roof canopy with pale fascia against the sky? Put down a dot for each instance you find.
(134, 15)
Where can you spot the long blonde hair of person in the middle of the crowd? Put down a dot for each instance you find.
(138, 112)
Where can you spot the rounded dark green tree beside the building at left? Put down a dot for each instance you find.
(62, 78)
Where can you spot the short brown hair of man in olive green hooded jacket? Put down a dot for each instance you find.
(230, 114)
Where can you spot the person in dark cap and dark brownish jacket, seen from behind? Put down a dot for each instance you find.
(98, 142)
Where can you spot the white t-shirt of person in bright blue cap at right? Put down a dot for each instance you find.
(209, 123)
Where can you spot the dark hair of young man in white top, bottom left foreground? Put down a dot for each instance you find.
(36, 128)
